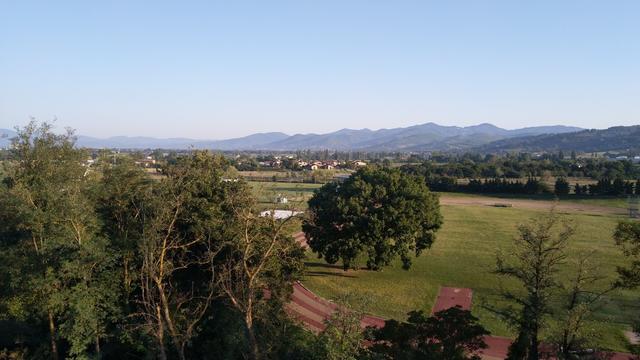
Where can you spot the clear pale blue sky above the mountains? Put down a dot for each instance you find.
(209, 69)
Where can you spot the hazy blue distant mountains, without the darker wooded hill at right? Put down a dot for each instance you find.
(424, 137)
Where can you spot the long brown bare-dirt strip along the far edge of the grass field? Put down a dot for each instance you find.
(562, 206)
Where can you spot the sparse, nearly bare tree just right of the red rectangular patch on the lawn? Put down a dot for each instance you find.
(538, 254)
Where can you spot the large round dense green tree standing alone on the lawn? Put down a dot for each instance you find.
(377, 214)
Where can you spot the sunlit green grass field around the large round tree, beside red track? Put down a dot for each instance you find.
(464, 256)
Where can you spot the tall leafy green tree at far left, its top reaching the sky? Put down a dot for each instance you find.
(63, 276)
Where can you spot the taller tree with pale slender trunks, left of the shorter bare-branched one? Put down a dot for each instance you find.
(181, 238)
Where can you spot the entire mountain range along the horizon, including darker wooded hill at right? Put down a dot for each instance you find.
(424, 137)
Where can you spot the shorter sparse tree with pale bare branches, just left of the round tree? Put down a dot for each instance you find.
(260, 261)
